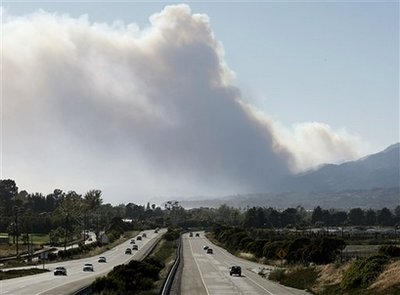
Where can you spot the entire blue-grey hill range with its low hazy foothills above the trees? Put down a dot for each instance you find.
(370, 182)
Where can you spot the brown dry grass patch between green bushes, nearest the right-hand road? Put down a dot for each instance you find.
(329, 274)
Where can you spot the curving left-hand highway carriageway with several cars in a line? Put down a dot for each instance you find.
(48, 284)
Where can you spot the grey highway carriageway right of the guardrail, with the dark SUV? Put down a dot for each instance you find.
(208, 274)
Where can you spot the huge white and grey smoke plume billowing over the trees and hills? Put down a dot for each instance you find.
(136, 112)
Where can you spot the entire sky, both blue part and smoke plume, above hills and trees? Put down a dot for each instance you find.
(208, 98)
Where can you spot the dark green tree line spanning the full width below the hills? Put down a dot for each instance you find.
(68, 213)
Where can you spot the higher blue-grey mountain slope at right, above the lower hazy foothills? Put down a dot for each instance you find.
(381, 170)
